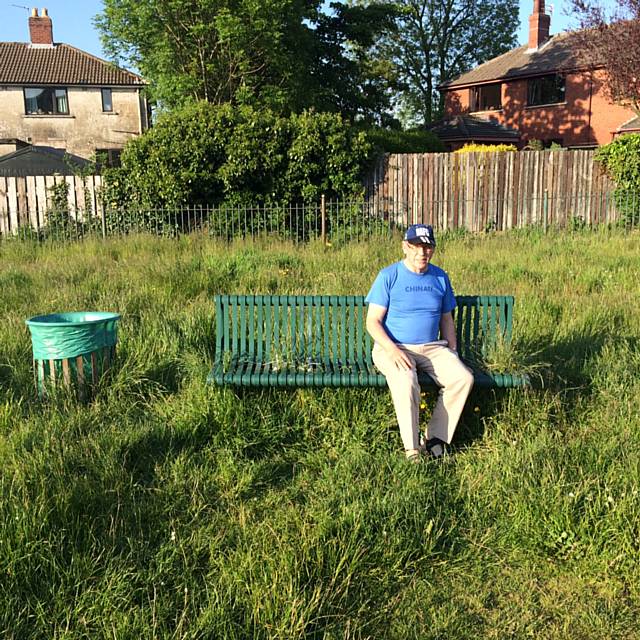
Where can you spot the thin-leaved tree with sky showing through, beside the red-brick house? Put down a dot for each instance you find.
(437, 40)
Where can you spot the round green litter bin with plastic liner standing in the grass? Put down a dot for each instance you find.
(72, 349)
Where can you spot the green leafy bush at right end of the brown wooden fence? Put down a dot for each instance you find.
(621, 161)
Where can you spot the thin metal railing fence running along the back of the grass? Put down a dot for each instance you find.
(329, 221)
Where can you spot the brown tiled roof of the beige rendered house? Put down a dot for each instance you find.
(22, 63)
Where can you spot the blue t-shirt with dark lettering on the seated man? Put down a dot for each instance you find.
(414, 302)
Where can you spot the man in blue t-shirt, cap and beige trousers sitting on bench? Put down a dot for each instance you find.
(409, 317)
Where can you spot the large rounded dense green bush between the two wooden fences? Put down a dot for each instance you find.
(211, 154)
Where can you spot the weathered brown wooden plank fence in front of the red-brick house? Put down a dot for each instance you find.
(479, 191)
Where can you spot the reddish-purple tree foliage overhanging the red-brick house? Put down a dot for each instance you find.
(613, 41)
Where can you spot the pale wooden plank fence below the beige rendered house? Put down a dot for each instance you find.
(25, 200)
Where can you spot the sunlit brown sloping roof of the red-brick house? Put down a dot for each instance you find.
(558, 52)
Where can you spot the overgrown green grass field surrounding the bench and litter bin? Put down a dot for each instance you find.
(169, 509)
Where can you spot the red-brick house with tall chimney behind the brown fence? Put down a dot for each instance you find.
(543, 91)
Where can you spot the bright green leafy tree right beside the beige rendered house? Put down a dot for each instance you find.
(208, 49)
